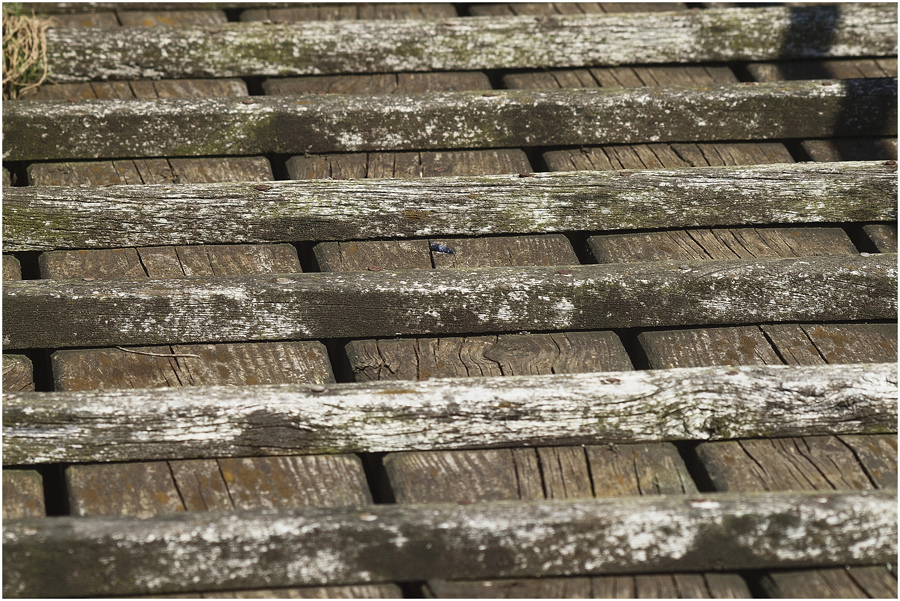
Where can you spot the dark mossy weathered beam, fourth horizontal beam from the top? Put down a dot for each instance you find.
(469, 301)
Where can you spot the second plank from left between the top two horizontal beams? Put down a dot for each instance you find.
(382, 83)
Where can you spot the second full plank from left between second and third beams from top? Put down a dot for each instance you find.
(408, 164)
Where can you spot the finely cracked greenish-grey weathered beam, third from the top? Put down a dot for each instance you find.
(314, 210)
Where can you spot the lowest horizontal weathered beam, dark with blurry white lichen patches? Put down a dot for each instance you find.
(408, 542)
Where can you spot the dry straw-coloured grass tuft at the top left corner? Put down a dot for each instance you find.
(24, 51)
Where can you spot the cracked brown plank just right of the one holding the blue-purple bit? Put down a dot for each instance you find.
(720, 244)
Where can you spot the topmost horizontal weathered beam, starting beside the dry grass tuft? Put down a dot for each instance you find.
(472, 43)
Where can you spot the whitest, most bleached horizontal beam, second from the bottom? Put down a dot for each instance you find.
(654, 405)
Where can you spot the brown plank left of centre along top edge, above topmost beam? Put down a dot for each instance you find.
(336, 11)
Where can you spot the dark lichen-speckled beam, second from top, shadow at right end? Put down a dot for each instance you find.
(42, 130)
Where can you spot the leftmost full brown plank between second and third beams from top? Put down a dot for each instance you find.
(149, 171)
